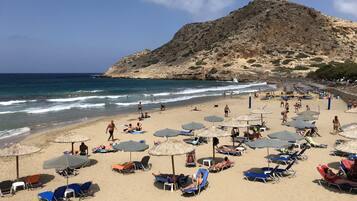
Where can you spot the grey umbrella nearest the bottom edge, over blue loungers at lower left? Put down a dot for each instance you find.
(66, 161)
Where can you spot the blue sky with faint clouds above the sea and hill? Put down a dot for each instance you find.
(88, 36)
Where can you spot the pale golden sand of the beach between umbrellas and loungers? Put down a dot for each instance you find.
(226, 185)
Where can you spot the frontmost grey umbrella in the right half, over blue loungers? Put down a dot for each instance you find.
(267, 143)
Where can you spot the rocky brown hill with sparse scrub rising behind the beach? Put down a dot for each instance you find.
(264, 39)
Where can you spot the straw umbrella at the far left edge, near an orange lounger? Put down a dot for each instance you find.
(18, 150)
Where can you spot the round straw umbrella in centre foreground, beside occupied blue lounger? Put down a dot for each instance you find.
(171, 148)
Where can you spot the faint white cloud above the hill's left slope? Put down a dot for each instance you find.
(200, 9)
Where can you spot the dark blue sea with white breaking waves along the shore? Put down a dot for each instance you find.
(33, 102)
